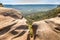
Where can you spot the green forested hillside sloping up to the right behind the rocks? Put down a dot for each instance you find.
(43, 15)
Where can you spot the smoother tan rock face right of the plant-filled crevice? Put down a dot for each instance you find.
(48, 29)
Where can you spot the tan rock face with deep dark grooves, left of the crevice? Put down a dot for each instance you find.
(12, 25)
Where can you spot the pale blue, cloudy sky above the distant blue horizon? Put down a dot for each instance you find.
(30, 1)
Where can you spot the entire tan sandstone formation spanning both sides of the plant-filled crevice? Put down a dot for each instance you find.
(13, 26)
